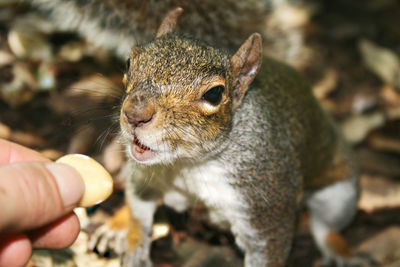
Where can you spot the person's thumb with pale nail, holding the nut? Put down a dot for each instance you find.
(37, 193)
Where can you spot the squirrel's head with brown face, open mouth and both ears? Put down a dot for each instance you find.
(181, 95)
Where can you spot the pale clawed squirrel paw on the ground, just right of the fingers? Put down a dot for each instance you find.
(105, 239)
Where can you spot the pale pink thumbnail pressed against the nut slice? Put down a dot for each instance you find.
(69, 182)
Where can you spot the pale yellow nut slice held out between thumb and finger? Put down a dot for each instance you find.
(98, 182)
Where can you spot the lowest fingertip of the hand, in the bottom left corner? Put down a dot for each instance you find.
(15, 250)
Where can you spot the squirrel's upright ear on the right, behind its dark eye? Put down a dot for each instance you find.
(245, 64)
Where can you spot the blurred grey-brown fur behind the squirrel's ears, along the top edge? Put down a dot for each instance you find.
(118, 24)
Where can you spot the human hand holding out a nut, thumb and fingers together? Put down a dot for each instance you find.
(36, 199)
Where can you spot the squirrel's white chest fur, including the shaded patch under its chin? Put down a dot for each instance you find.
(210, 183)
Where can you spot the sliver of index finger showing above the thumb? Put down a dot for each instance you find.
(11, 153)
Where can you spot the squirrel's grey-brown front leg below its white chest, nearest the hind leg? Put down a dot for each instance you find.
(266, 235)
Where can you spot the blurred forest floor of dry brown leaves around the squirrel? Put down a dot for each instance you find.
(59, 94)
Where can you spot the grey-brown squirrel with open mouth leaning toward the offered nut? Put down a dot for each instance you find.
(243, 134)
